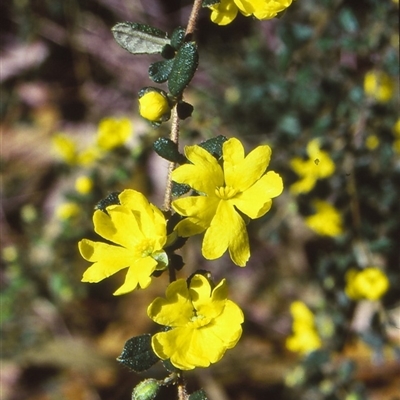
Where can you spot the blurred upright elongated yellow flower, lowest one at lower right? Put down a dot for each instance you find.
(304, 338)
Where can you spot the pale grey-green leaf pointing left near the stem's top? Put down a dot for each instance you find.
(139, 38)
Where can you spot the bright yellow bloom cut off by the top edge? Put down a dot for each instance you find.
(226, 11)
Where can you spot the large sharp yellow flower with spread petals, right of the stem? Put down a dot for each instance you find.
(240, 184)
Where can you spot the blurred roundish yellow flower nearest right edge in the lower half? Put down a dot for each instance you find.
(370, 283)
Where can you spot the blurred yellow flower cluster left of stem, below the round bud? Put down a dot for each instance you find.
(111, 133)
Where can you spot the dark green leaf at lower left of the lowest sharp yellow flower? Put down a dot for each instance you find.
(137, 354)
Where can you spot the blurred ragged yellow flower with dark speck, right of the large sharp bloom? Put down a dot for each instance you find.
(318, 166)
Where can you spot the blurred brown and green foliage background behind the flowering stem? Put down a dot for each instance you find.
(327, 70)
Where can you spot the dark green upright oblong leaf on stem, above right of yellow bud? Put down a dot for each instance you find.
(185, 65)
